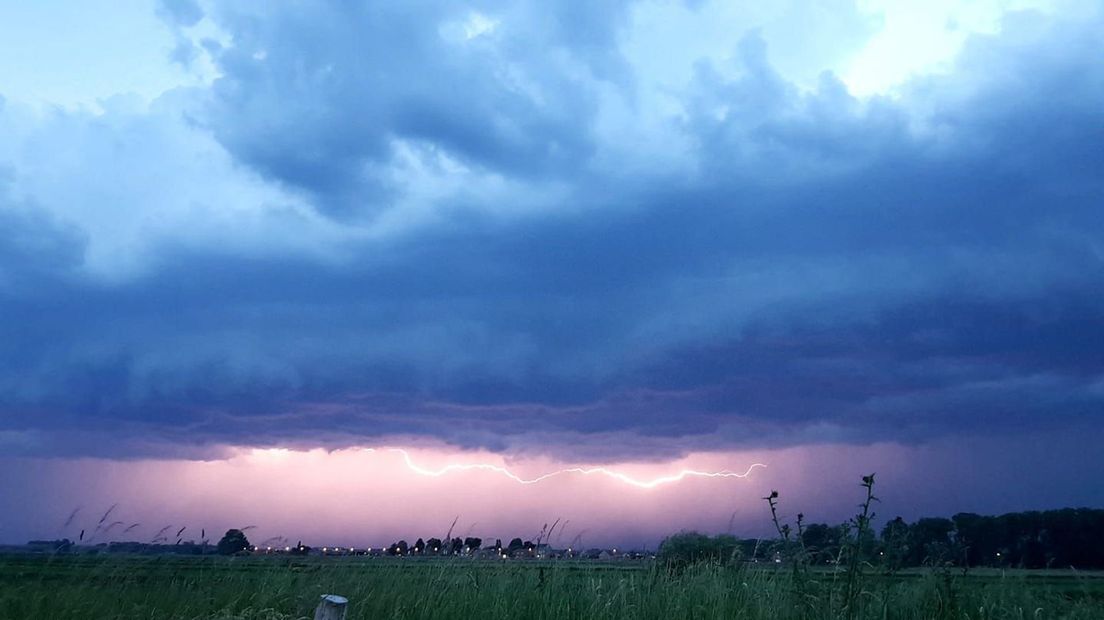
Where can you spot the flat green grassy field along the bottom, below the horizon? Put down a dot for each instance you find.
(90, 587)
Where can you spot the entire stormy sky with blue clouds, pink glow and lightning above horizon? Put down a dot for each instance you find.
(349, 271)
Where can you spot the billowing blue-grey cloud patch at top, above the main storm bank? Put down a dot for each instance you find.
(324, 109)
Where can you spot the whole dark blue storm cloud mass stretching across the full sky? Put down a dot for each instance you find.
(834, 270)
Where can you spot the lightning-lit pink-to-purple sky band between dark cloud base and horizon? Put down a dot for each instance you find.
(363, 497)
